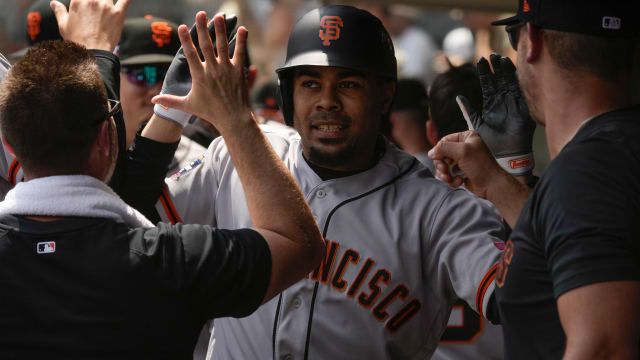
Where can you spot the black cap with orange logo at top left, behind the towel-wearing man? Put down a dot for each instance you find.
(41, 25)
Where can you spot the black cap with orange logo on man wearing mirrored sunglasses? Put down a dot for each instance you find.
(148, 40)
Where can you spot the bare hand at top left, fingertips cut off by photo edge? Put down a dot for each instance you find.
(96, 24)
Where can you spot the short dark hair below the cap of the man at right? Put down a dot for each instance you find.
(606, 57)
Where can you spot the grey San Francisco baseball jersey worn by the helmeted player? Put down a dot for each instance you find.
(401, 248)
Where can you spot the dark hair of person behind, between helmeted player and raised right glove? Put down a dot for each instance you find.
(460, 80)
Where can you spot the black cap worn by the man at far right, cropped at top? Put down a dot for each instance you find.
(611, 18)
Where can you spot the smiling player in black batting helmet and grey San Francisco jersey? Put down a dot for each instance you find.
(402, 247)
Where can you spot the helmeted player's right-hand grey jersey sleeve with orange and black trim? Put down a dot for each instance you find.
(466, 242)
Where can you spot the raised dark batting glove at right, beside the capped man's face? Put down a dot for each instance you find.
(504, 124)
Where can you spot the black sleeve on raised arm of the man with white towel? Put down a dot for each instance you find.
(221, 272)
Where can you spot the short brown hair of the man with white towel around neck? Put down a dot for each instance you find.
(50, 105)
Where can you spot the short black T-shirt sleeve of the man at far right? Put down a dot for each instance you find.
(589, 215)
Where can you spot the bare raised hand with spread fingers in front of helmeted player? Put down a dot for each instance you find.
(218, 93)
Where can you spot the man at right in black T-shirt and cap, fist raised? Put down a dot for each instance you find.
(569, 278)
